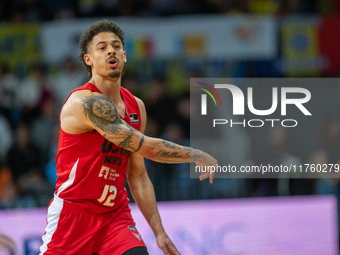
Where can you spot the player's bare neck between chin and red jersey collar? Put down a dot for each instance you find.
(110, 88)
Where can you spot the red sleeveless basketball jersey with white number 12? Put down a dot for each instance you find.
(91, 170)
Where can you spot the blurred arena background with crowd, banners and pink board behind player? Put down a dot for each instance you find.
(167, 42)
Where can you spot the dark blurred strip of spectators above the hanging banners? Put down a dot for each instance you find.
(43, 10)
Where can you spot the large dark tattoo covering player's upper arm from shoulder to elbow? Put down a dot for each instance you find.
(102, 112)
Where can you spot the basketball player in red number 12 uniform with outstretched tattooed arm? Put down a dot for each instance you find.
(101, 142)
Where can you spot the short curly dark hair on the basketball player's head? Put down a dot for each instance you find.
(96, 28)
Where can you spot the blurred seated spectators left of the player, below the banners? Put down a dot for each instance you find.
(29, 109)
